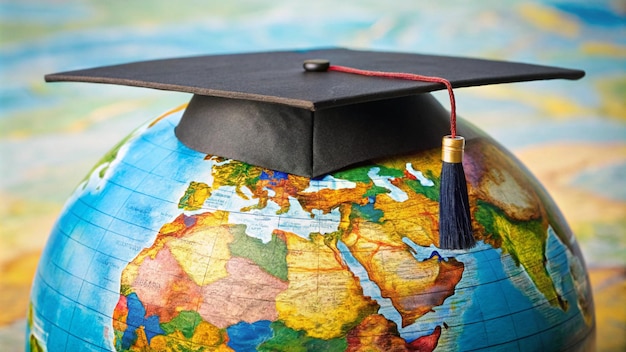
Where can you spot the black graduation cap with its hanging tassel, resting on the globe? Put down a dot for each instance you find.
(342, 108)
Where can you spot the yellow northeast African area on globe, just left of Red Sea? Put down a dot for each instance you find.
(323, 298)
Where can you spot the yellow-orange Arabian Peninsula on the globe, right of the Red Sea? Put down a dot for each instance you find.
(413, 286)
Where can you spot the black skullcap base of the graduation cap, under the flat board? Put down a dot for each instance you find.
(313, 143)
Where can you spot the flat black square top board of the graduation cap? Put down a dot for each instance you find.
(278, 77)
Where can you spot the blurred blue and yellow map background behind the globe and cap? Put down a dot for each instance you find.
(571, 135)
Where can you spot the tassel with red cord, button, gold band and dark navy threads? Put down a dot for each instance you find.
(455, 223)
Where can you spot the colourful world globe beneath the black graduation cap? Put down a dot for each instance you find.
(166, 248)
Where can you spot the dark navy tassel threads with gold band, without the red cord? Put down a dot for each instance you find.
(455, 222)
